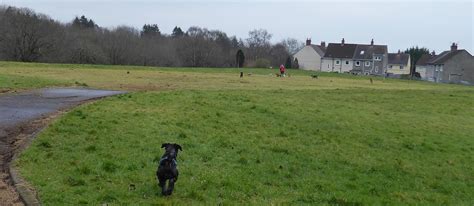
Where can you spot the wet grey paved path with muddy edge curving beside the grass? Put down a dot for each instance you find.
(19, 119)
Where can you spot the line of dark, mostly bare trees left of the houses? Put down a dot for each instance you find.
(28, 36)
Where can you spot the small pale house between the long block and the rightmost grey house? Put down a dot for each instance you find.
(398, 64)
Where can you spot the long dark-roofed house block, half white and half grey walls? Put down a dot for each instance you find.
(355, 58)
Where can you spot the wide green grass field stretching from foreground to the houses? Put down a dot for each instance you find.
(336, 140)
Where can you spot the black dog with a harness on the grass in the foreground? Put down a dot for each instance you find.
(168, 168)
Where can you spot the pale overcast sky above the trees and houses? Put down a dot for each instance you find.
(397, 23)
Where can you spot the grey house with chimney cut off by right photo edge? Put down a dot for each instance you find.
(453, 66)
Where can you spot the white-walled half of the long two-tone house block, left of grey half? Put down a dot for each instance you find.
(338, 57)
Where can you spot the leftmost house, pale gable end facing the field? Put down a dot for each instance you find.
(309, 57)
